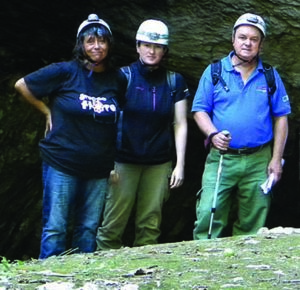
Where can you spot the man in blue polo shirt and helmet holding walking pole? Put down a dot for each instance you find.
(257, 128)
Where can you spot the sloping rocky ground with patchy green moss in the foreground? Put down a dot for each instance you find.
(269, 260)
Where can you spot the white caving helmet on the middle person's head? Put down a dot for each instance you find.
(153, 31)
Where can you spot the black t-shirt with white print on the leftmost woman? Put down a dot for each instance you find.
(84, 109)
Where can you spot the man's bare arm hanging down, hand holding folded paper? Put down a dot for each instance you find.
(280, 136)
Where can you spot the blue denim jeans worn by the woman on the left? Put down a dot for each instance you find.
(73, 203)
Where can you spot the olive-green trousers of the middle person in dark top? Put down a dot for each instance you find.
(143, 186)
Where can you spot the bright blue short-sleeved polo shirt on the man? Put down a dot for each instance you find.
(244, 111)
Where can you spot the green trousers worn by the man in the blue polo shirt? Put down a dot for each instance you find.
(239, 188)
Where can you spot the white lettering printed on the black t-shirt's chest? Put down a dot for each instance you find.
(98, 104)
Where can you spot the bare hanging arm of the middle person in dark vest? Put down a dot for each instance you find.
(180, 130)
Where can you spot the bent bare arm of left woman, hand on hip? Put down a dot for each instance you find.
(22, 88)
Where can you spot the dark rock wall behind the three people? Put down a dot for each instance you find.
(35, 33)
